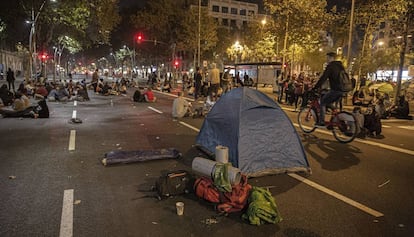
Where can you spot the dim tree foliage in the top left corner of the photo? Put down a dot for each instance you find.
(88, 22)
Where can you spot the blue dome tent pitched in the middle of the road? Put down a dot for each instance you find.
(260, 137)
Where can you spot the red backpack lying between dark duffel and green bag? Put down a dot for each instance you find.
(228, 202)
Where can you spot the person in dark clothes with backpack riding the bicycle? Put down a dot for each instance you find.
(331, 73)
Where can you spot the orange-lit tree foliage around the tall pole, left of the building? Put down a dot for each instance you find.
(180, 24)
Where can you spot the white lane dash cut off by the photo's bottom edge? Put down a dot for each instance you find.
(66, 221)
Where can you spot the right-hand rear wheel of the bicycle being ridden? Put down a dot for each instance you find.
(345, 129)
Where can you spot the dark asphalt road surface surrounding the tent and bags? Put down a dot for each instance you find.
(54, 186)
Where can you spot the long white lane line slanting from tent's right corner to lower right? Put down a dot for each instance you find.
(337, 195)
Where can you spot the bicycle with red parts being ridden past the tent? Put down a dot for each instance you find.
(343, 124)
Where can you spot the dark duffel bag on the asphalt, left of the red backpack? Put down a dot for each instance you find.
(174, 183)
